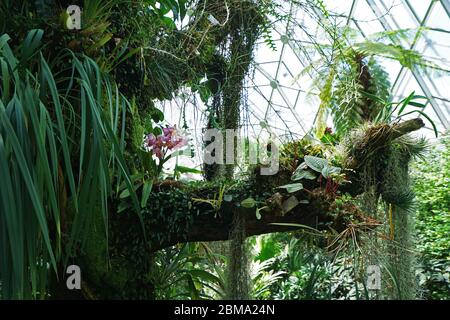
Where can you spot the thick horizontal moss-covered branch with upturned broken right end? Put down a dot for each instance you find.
(194, 212)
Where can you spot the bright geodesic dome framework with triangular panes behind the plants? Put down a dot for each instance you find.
(280, 101)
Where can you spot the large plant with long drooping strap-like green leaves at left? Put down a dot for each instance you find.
(60, 158)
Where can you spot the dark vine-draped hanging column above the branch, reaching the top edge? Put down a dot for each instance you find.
(236, 38)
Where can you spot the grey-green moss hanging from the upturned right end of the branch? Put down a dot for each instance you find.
(385, 182)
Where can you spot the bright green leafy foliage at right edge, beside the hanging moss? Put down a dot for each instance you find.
(432, 188)
